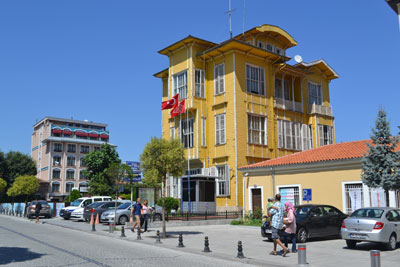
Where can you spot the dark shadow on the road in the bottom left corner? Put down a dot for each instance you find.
(16, 254)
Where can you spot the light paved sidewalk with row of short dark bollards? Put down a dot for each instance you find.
(223, 244)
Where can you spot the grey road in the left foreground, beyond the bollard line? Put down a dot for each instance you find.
(24, 243)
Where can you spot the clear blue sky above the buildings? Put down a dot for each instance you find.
(95, 59)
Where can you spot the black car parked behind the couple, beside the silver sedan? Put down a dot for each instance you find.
(312, 221)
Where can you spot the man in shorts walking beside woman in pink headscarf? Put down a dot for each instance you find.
(277, 212)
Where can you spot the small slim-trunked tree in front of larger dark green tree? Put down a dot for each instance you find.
(116, 173)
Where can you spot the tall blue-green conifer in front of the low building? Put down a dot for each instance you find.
(380, 166)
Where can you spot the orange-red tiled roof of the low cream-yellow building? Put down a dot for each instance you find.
(341, 151)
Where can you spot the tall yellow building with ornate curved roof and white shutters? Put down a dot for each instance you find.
(245, 104)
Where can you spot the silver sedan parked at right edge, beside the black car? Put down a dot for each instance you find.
(380, 225)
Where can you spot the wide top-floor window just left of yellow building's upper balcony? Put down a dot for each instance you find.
(255, 73)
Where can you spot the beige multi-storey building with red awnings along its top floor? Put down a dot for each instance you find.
(58, 147)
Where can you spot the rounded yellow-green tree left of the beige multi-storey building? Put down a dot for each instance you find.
(23, 186)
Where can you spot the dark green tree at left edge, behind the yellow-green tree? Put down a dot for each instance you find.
(17, 164)
